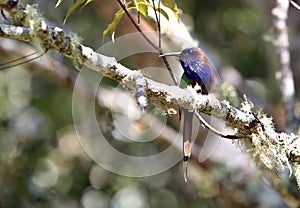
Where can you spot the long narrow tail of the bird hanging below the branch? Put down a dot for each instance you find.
(187, 136)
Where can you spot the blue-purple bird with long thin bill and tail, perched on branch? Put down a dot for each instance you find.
(198, 73)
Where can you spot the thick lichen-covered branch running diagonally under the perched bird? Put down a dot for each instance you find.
(268, 148)
